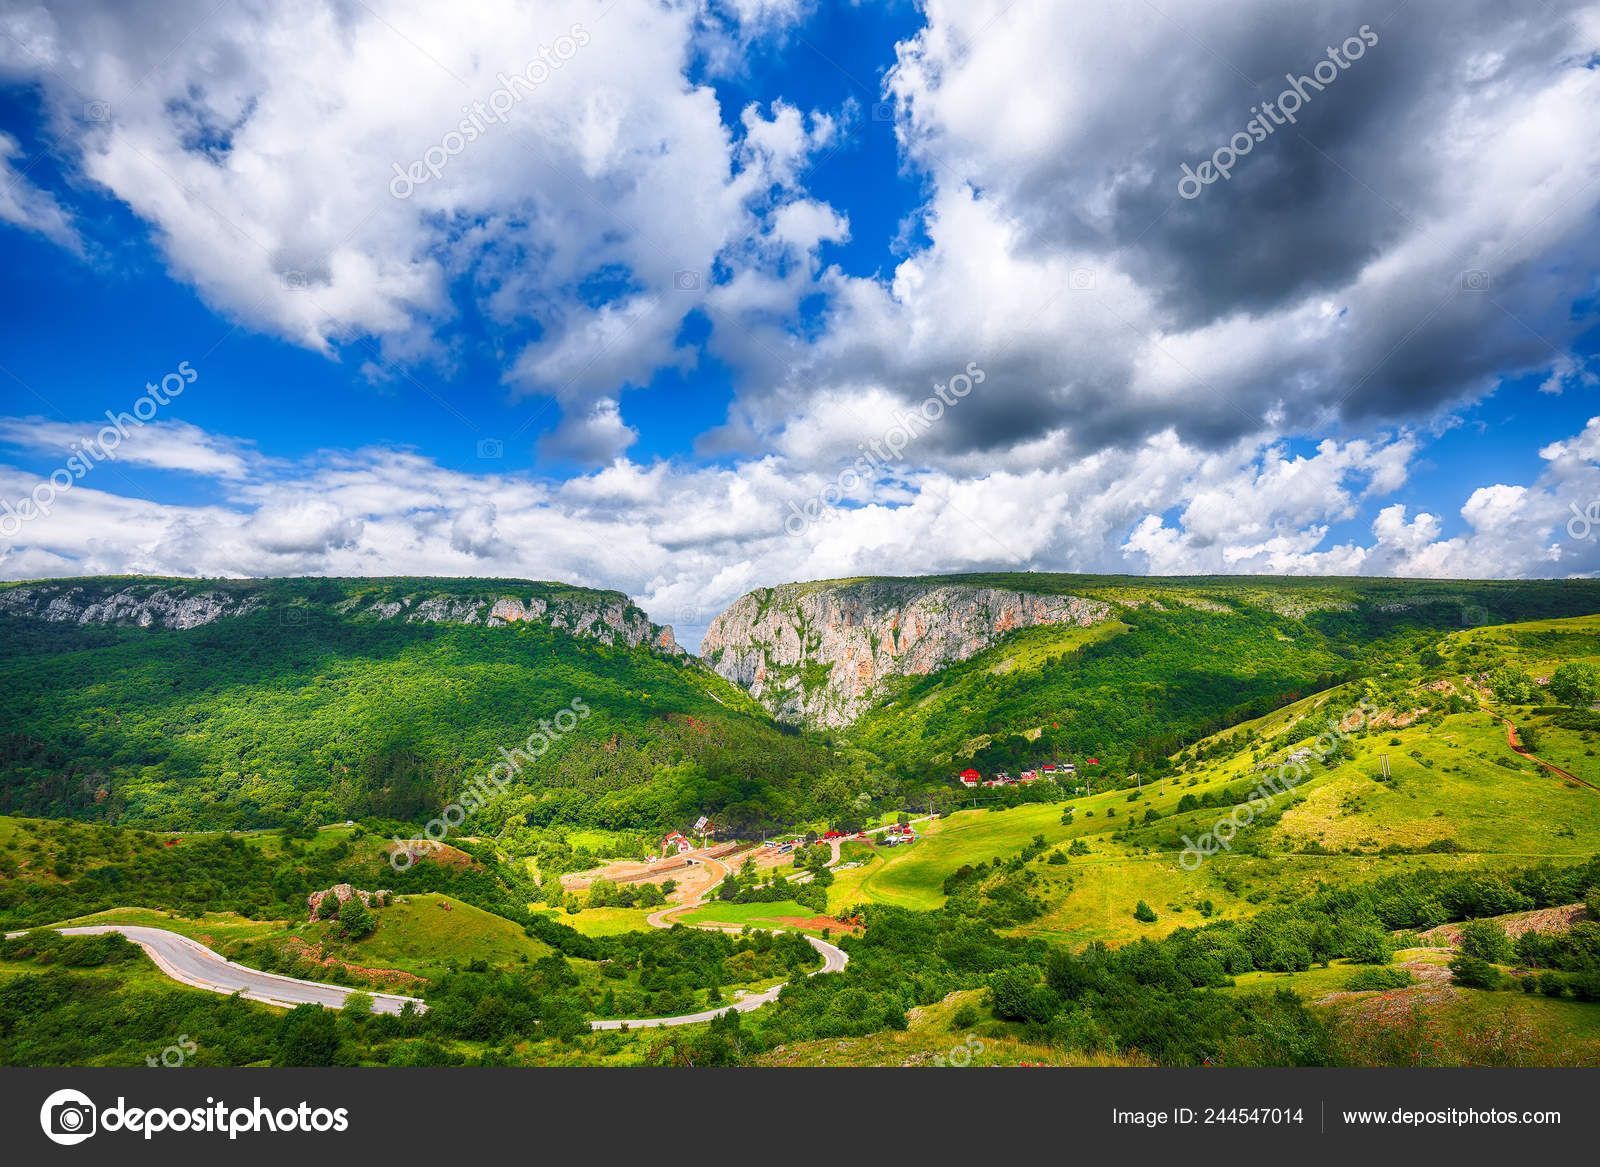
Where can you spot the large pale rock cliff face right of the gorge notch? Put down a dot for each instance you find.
(822, 654)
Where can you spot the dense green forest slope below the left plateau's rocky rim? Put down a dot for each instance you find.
(260, 721)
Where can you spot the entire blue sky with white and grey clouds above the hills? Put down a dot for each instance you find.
(713, 252)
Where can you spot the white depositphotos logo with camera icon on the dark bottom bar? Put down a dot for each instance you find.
(70, 1117)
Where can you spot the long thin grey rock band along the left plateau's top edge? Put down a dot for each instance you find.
(606, 617)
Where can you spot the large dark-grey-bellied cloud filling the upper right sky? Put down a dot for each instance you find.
(1382, 262)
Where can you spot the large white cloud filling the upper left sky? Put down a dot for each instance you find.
(596, 190)
